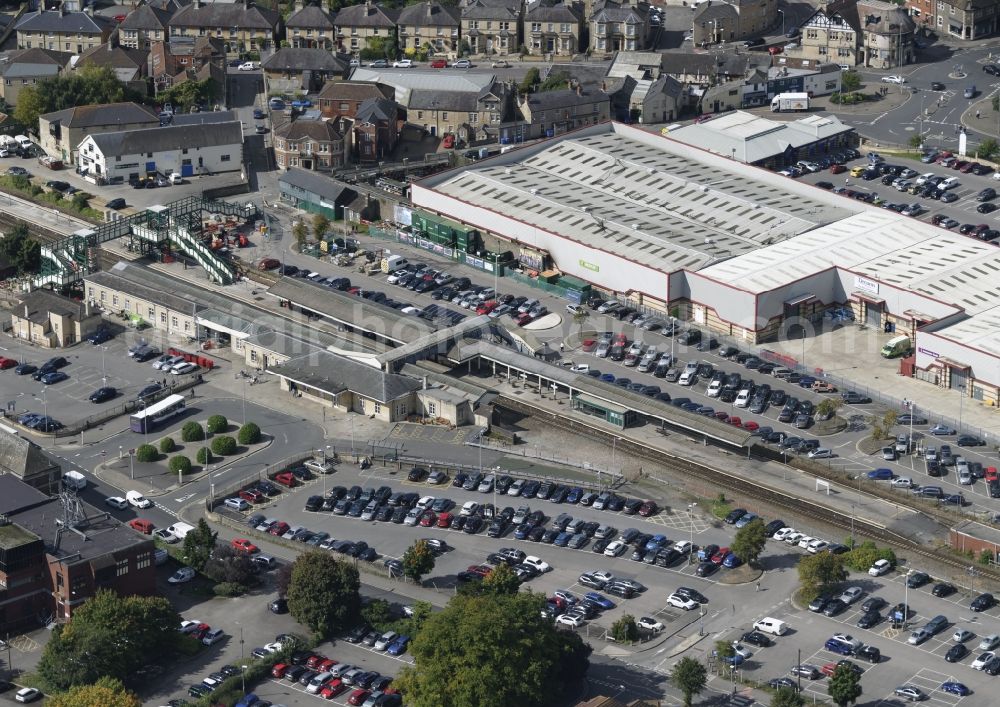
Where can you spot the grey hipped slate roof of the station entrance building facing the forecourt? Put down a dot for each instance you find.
(333, 374)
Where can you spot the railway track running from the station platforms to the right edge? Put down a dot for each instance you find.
(765, 495)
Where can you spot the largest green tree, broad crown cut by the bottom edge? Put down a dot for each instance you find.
(510, 638)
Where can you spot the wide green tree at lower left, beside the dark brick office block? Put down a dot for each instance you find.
(110, 635)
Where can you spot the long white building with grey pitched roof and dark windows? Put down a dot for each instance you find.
(186, 149)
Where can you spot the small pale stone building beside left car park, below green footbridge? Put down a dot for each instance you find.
(51, 321)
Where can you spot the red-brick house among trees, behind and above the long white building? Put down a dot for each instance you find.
(189, 59)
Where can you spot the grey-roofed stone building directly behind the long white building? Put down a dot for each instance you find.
(61, 132)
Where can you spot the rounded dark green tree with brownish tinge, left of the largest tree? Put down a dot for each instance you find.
(323, 593)
